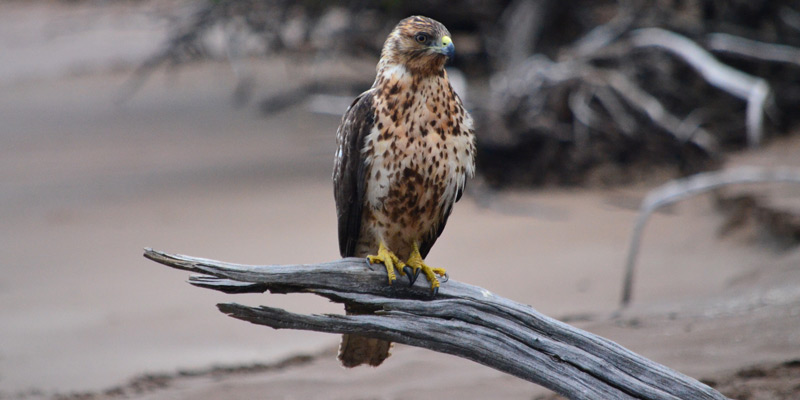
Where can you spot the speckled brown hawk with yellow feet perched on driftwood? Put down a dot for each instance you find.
(405, 149)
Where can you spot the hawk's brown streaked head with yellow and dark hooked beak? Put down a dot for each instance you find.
(420, 44)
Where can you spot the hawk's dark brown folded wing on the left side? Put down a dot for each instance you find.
(349, 180)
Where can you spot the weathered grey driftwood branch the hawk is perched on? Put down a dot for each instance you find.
(462, 320)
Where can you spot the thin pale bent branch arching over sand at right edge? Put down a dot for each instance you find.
(681, 189)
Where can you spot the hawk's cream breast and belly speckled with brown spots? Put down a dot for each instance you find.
(421, 151)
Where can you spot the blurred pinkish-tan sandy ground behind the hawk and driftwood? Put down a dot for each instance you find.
(86, 182)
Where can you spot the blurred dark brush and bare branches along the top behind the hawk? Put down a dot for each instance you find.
(566, 93)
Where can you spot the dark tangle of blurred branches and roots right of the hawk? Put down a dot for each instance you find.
(668, 84)
